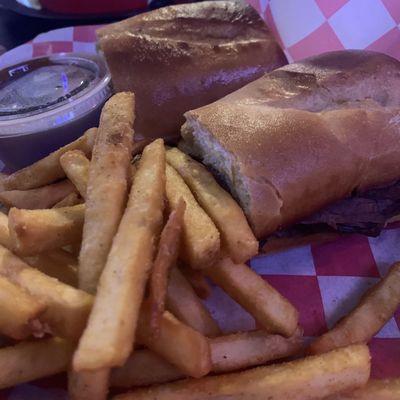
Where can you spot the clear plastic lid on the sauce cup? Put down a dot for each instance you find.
(46, 92)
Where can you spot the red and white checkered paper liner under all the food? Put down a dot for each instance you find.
(324, 281)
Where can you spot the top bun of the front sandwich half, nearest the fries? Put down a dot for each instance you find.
(303, 136)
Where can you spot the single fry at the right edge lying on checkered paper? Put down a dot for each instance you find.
(375, 308)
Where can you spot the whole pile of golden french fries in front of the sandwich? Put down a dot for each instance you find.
(105, 256)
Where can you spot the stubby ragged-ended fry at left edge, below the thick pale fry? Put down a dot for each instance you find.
(18, 310)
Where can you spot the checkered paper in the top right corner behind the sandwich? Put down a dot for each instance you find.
(308, 27)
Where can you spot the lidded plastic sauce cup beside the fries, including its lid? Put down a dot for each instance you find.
(47, 102)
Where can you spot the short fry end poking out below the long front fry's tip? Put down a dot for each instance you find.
(88, 385)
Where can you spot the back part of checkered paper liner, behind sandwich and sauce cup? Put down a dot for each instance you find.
(303, 28)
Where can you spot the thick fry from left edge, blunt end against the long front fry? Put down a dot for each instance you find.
(67, 308)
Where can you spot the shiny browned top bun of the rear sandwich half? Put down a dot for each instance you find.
(182, 57)
